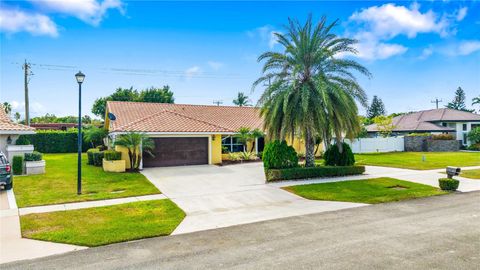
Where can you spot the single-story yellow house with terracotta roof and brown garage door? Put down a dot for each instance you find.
(186, 134)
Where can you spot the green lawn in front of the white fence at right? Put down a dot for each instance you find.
(413, 160)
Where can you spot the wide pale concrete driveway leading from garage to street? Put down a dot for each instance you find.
(222, 196)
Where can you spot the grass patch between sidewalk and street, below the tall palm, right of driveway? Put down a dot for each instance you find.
(378, 190)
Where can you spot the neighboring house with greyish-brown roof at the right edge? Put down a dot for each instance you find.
(437, 121)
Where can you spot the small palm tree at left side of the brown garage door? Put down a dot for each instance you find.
(134, 141)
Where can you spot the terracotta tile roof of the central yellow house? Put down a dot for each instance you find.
(162, 117)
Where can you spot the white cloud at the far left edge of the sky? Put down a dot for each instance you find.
(13, 21)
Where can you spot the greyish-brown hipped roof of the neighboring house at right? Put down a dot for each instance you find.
(424, 121)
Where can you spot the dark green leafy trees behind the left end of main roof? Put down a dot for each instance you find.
(152, 94)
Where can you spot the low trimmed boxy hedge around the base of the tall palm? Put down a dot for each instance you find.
(312, 172)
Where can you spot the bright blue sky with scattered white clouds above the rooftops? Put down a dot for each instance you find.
(207, 51)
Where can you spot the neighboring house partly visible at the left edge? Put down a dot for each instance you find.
(9, 131)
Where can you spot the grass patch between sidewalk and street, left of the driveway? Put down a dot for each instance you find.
(104, 225)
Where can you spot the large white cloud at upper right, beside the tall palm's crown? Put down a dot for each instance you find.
(390, 20)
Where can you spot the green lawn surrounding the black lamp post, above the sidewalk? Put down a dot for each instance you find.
(59, 184)
